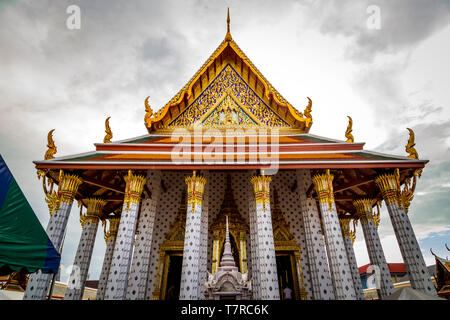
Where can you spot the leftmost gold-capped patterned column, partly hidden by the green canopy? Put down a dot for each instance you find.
(39, 283)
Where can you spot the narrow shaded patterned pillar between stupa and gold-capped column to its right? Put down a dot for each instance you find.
(254, 251)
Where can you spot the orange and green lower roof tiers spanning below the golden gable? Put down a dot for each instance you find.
(290, 151)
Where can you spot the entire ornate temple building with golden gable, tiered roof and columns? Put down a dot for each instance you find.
(229, 147)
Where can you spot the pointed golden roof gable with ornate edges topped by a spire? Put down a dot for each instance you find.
(249, 83)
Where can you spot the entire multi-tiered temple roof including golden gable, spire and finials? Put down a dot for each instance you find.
(229, 117)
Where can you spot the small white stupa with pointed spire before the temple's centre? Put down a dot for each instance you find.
(227, 282)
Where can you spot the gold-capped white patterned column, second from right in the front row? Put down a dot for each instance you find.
(344, 288)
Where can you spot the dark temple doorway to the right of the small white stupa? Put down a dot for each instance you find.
(287, 274)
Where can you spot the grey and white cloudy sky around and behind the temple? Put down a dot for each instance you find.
(387, 79)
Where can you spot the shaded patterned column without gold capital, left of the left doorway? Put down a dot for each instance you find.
(137, 280)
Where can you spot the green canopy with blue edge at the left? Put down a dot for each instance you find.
(24, 244)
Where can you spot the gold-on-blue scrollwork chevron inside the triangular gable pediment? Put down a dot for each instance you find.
(228, 82)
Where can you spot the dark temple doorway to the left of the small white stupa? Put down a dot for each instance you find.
(172, 277)
